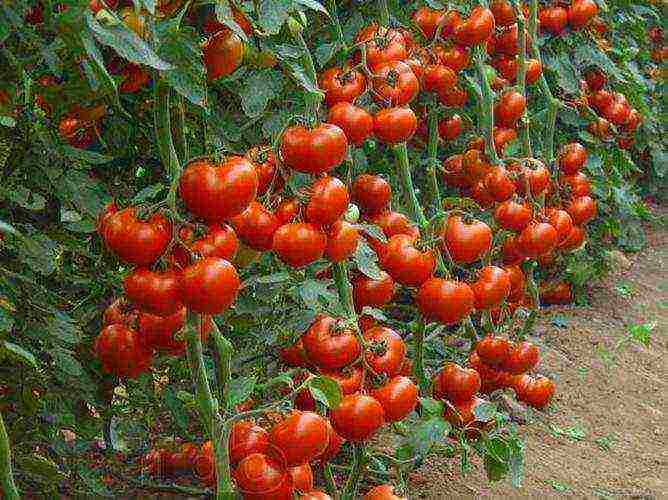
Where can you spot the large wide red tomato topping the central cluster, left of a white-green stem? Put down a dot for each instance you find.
(314, 151)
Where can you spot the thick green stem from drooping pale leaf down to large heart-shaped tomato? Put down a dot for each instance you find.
(163, 134)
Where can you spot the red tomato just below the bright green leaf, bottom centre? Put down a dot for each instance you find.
(358, 417)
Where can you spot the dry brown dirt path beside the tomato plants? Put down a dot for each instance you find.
(605, 435)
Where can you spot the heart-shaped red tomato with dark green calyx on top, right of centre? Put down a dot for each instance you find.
(466, 241)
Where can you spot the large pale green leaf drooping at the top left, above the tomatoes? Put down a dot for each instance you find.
(126, 43)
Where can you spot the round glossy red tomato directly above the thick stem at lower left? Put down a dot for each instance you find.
(210, 285)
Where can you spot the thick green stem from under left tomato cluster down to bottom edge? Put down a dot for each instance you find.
(208, 410)
